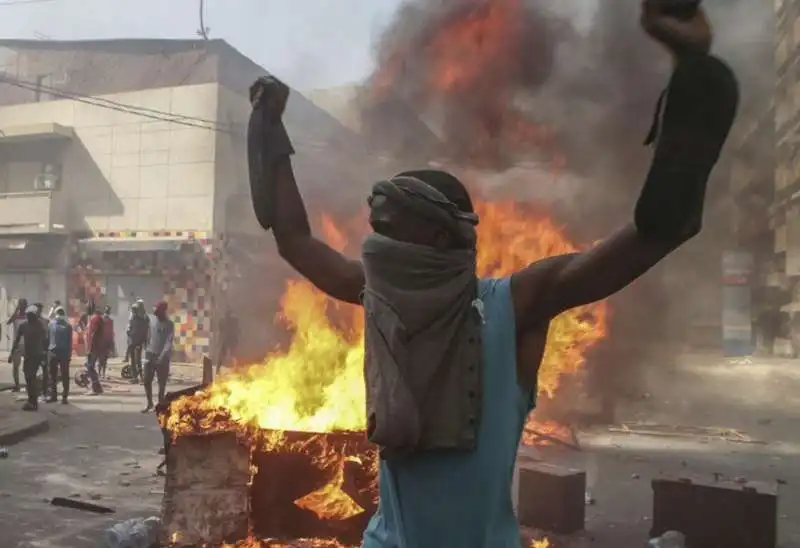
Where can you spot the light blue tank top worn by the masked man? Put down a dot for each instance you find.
(463, 499)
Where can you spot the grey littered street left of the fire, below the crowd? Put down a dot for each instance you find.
(100, 449)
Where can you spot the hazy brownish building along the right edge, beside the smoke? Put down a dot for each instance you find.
(765, 187)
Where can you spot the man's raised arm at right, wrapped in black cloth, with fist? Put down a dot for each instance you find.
(690, 129)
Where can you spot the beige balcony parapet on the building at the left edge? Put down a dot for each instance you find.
(35, 212)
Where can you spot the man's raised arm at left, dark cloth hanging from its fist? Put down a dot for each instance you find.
(279, 206)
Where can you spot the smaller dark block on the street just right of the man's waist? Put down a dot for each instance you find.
(551, 498)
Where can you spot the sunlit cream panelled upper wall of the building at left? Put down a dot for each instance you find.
(128, 172)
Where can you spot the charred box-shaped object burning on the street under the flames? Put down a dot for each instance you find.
(227, 486)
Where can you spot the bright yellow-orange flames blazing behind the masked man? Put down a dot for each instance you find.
(316, 383)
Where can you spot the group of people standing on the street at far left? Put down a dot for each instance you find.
(45, 343)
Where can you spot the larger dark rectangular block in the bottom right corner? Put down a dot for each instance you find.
(716, 514)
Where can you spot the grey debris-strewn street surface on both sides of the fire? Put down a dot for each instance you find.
(103, 450)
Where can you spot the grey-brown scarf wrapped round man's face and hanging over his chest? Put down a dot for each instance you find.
(423, 327)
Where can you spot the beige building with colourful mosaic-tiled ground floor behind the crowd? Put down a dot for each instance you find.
(123, 175)
